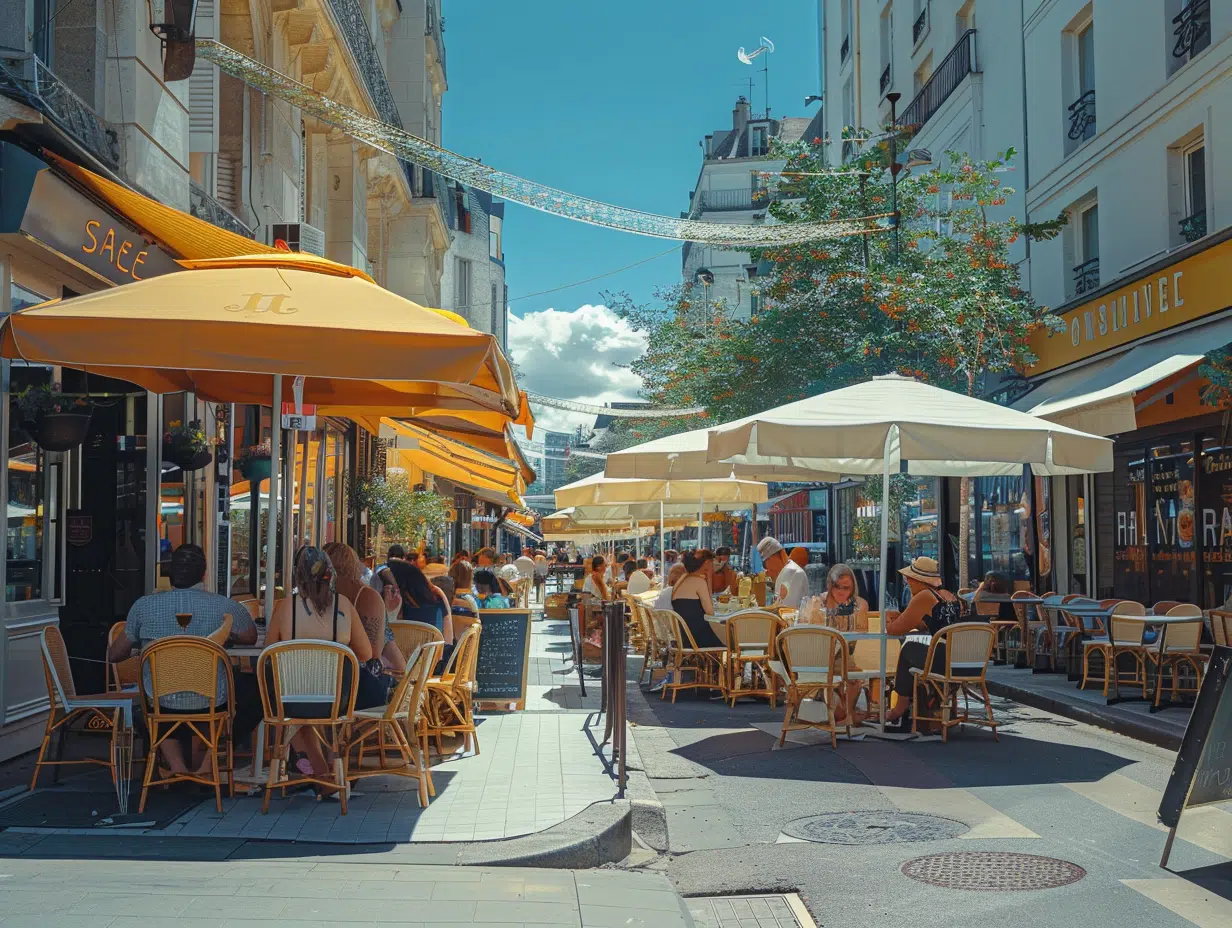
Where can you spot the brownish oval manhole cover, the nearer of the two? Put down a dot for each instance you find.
(992, 872)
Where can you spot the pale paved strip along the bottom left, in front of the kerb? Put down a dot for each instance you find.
(259, 894)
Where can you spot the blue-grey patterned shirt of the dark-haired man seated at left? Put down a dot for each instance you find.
(153, 618)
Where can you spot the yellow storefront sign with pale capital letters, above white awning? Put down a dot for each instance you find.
(1153, 303)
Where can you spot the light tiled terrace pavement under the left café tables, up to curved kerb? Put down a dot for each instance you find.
(538, 770)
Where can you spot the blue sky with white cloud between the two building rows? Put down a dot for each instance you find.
(608, 100)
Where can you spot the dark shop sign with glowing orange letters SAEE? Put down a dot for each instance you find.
(71, 225)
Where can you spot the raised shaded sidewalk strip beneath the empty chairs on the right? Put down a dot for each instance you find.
(1054, 693)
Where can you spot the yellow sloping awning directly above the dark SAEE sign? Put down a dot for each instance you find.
(179, 232)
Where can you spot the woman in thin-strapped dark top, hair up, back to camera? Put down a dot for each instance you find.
(316, 611)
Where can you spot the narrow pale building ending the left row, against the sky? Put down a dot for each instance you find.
(474, 284)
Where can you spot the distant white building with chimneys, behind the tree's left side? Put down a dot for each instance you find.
(731, 189)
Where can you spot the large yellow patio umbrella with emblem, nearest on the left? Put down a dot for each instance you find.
(229, 326)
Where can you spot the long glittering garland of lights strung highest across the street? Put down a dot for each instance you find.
(550, 200)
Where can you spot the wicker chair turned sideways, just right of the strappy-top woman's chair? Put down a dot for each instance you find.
(396, 727)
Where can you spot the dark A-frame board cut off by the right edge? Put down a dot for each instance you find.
(1203, 773)
